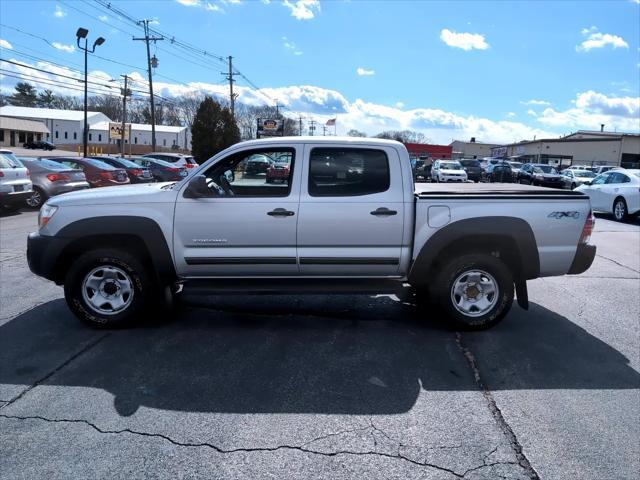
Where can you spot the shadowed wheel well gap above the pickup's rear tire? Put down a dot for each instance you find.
(501, 246)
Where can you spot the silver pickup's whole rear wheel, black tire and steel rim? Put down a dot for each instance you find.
(475, 291)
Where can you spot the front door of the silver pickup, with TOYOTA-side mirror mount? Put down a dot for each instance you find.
(246, 225)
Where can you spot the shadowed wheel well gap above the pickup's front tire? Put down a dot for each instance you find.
(130, 243)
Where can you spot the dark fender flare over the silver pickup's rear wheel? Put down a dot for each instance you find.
(494, 227)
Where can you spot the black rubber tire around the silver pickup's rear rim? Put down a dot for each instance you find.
(501, 300)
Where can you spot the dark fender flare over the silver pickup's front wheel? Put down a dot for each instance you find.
(146, 229)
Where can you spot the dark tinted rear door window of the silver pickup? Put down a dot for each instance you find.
(341, 172)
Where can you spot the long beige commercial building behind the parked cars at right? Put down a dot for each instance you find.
(580, 148)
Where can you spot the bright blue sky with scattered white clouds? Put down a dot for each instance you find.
(448, 69)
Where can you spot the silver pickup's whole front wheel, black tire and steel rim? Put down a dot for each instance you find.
(108, 288)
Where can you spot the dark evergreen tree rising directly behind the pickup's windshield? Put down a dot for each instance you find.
(213, 130)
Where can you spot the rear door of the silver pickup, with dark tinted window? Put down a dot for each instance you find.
(351, 211)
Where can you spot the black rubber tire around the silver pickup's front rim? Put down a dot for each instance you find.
(144, 290)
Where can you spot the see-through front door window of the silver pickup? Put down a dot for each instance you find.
(254, 173)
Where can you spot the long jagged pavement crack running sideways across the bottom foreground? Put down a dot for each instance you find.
(220, 450)
